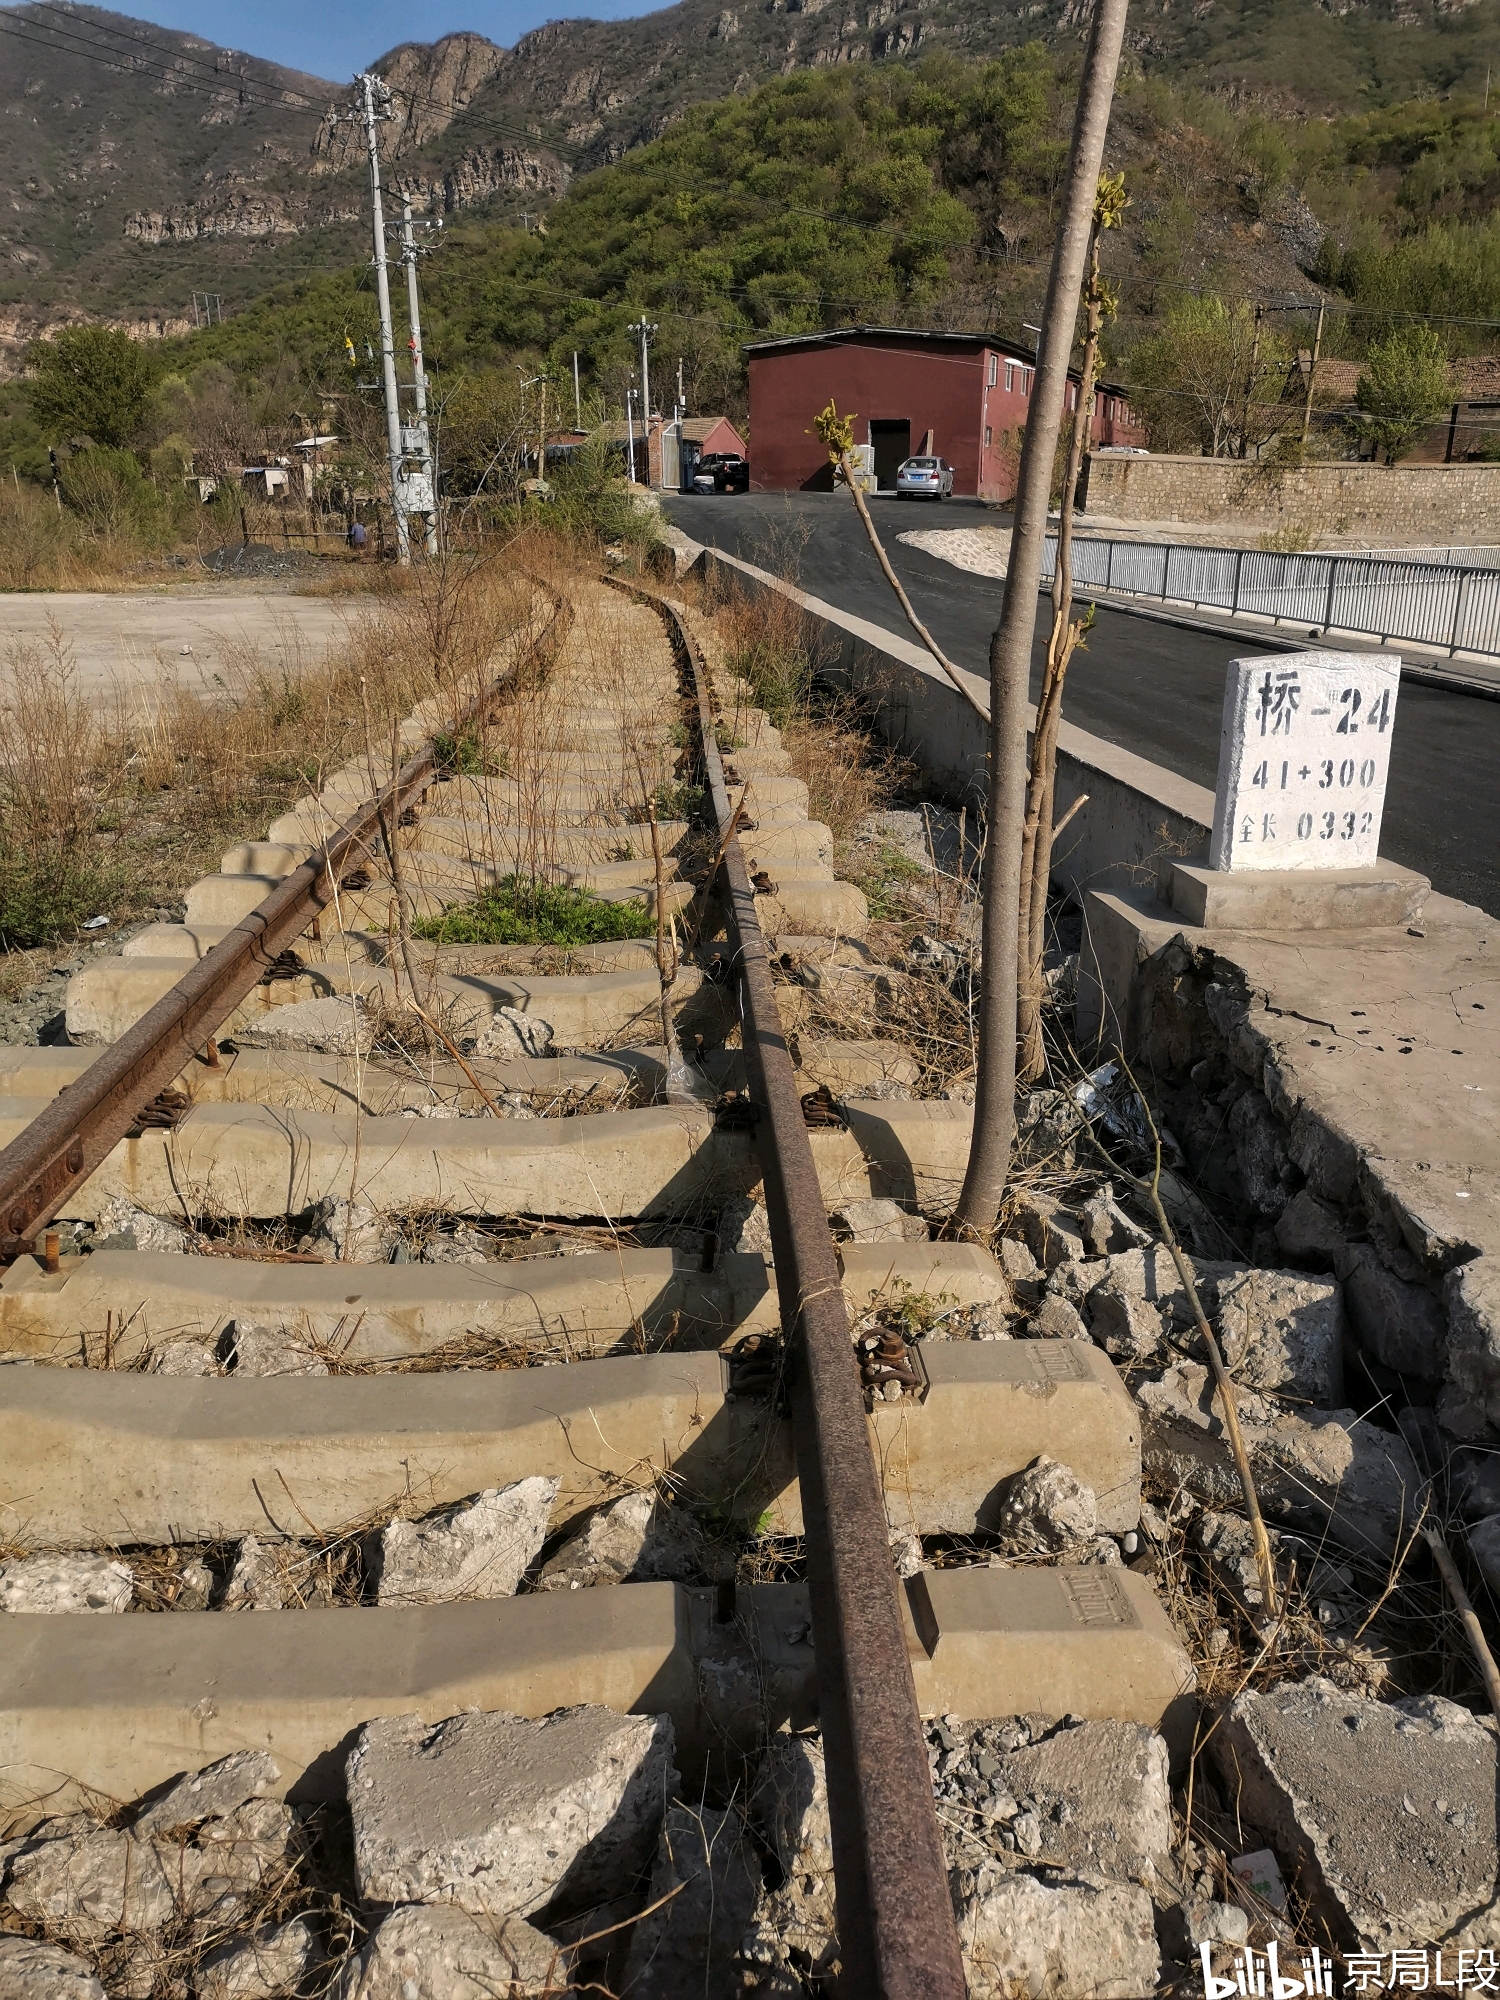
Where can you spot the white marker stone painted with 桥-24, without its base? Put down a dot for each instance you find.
(1303, 761)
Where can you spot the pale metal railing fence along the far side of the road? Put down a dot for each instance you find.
(1369, 597)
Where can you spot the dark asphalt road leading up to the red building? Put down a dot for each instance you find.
(1145, 685)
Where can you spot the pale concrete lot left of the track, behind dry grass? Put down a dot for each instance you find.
(125, 639)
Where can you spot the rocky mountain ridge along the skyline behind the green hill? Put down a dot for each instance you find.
(149, 165)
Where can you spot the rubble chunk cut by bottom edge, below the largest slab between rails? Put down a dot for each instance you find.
(451, 1955)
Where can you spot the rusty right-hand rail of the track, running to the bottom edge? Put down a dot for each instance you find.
(897, 1929)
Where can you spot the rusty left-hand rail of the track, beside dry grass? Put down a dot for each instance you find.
(83, 1125)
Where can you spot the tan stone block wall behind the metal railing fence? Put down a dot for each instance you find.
(1385, 505)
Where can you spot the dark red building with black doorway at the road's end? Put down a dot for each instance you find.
(971, 391)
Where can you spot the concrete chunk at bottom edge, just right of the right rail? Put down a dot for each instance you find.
(1059, 1943)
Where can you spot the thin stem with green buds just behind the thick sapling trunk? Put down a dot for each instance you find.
(1063, 641)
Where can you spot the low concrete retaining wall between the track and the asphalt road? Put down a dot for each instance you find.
(1139, 817)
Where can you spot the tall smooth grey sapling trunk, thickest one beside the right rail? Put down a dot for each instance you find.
(1011, 649)
